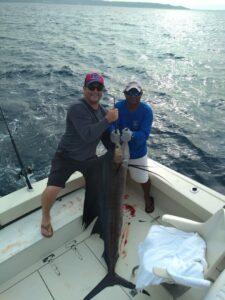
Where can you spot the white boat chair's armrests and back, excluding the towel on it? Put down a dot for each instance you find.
(212, 231)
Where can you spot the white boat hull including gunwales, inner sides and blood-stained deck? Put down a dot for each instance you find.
(76, 269)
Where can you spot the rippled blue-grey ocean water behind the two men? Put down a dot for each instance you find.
(178, 56)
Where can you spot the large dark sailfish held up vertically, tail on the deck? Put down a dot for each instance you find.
(105, 184)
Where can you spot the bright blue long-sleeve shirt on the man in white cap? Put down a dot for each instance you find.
(139, 122)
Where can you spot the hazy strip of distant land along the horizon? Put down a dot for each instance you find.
(102, 3)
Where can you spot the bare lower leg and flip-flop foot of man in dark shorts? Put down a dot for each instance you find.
(48, 199)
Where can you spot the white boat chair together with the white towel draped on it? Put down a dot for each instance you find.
(207, 249)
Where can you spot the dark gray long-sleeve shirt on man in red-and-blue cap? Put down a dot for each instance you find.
(84, 128)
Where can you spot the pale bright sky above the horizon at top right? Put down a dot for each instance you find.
(194, 4)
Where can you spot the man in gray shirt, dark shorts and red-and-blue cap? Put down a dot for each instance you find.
(86, 124)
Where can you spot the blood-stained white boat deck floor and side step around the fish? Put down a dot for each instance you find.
(73, 269)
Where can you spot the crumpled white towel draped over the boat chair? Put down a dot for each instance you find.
(181, 253)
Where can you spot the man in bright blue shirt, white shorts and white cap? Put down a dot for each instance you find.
(134, 126)
